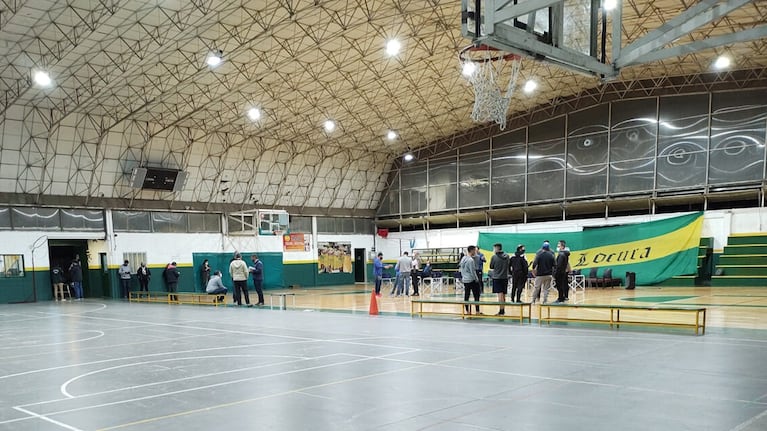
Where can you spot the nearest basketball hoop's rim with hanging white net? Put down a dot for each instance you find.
(485, 67)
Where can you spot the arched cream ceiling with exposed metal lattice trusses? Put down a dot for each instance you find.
(131, 87)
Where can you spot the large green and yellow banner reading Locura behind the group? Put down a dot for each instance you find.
(655, 250)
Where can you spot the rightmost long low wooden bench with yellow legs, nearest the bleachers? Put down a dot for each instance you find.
(614, 318)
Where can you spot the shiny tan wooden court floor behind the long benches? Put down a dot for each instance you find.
(744, 308)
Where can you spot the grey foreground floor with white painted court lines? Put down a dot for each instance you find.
(98, 365)
